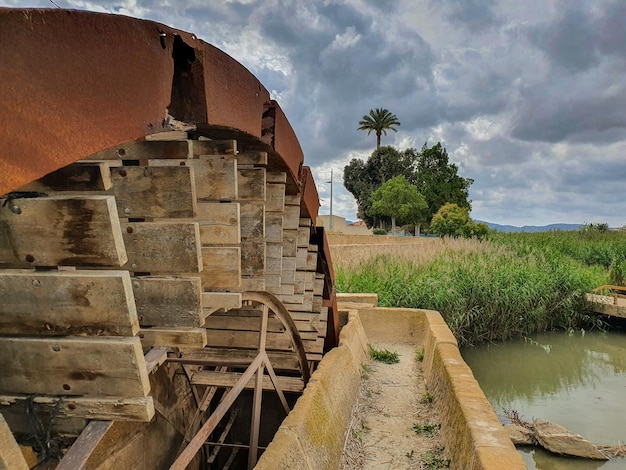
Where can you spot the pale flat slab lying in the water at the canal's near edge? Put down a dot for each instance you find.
(559, 440)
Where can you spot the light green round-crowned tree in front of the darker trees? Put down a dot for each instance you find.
(399, 199)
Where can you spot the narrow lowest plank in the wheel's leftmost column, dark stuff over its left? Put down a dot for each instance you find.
(100, 408)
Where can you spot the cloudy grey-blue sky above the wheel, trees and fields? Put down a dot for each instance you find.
(528, 97)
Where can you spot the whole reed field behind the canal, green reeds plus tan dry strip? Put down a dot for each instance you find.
(511, 285)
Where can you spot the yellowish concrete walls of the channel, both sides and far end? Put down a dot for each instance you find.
(312, 436)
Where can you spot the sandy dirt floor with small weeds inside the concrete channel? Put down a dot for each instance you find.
(393, 424)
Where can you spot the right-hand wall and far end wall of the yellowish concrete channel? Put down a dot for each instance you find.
(470, 429)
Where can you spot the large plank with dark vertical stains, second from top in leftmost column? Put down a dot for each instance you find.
(61, 230)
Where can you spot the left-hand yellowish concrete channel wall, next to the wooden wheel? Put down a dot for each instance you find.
(312, 436)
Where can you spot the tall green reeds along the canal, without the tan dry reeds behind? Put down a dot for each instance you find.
(493, 291)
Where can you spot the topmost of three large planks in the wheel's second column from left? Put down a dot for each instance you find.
(154, 191)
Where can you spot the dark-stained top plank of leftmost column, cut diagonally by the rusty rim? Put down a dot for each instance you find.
(79, 176)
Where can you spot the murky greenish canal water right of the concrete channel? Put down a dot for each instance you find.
(577, 380)
